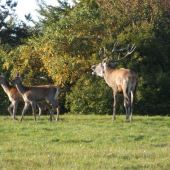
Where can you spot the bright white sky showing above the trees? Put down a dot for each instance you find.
(29, 6)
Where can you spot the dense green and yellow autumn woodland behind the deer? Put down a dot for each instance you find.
(61, 48)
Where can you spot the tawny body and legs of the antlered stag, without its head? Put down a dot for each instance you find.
(125, 81)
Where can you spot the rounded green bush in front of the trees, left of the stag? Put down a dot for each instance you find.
(87, 96)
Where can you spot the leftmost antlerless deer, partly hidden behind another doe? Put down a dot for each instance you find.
(15, 97)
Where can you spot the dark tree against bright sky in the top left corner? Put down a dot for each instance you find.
(12, 31)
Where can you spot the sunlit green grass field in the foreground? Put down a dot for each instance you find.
(85, 142)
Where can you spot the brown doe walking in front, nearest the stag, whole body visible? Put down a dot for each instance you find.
(33, 94)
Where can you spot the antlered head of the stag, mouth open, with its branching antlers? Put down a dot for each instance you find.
(99, 69)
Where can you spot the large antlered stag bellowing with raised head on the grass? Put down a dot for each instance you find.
(120, 80)
